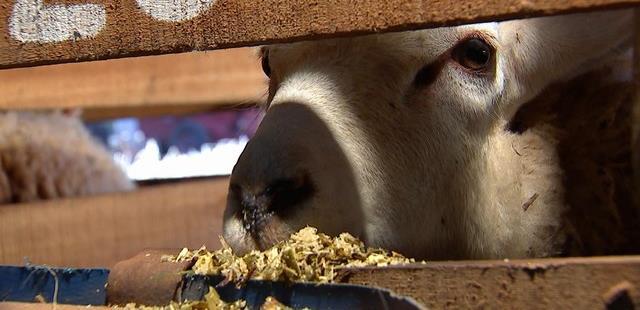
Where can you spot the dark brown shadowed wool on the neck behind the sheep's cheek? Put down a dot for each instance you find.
(591, 120)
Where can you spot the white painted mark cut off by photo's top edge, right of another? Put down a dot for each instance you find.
(174, 10)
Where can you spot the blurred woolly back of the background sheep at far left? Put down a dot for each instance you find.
(52, 155)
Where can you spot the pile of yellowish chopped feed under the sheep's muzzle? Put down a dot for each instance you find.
(307, 256)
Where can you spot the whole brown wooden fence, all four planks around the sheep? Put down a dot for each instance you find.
(38, 32)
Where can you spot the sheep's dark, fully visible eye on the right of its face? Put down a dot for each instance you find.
(474, 54)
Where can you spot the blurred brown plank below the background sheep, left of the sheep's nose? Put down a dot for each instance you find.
(101, 230)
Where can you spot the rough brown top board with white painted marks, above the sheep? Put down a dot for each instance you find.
(52, 31)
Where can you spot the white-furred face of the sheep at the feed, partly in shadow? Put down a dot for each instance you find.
(427, 170)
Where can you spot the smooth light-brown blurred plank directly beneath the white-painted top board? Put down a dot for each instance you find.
(177, 83)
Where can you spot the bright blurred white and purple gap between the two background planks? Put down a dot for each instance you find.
(174, 147)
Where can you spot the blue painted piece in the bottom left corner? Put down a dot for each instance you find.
(75, 286)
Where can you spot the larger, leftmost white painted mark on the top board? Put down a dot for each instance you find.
(33, 21)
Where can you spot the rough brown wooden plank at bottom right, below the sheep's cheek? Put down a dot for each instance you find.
(559, 283)
